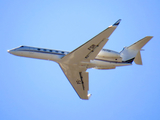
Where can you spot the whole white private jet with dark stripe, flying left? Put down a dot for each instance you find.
(89, 55)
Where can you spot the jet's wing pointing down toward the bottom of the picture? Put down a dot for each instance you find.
(78, 79)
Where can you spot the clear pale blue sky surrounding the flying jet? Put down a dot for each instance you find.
(32, 89)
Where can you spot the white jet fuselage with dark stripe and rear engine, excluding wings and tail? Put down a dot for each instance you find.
(106, 59)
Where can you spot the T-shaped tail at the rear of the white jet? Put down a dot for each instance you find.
(132, 53)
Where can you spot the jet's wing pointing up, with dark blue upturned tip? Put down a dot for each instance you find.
(89, 50)
